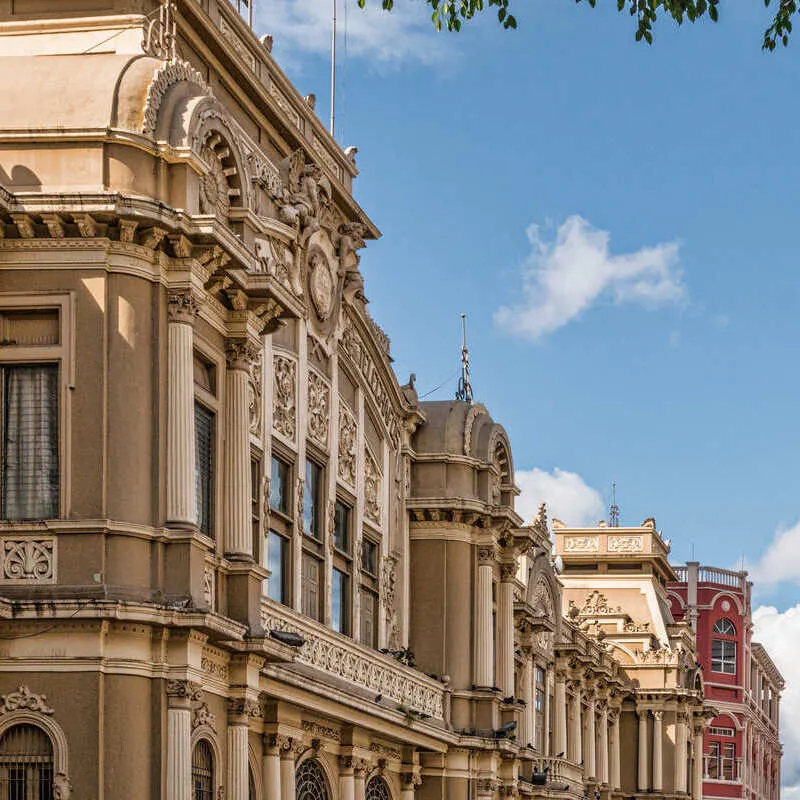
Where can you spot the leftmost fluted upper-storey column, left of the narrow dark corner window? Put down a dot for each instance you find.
(182, 310)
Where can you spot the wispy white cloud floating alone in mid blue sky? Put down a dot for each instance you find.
(563, 278)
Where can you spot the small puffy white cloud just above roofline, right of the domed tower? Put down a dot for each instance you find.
(568, 498)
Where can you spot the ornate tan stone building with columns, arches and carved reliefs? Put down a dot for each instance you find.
(240, 559)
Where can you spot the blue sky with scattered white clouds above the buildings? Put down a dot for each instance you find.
(632, 207)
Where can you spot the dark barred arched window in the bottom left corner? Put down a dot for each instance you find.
(26, 764)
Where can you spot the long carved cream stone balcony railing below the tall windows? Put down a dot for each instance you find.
(361, 666)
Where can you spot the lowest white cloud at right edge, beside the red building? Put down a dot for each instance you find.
(779, 632)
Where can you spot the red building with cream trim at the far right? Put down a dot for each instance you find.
(741, 746)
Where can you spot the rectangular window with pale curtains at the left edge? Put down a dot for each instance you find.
(30, 464)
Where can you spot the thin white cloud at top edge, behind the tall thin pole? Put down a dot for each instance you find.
(406, 33)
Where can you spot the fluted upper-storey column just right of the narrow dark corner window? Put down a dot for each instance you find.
(238, 527)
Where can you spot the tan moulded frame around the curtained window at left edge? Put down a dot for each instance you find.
(60, 354)
